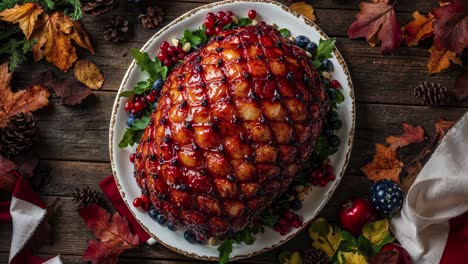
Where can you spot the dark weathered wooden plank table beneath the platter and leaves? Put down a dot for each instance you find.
(74, 140)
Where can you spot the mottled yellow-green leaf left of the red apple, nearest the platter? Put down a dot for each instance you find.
(324, 236)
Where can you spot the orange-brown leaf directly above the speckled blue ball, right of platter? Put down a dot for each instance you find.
(384, 165)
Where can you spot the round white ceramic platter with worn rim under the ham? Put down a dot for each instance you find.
(270, 12)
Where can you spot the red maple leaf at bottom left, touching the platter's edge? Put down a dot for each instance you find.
(113, 233)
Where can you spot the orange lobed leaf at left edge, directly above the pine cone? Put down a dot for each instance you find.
(23, 101)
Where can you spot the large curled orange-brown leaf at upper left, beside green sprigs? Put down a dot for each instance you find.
(53, 35)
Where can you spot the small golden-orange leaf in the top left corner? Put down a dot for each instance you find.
(25, 15)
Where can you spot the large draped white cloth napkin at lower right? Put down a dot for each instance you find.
(439, 194)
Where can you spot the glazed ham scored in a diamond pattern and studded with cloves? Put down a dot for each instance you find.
(233, 126)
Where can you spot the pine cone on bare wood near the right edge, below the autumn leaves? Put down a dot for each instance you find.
(431, 93)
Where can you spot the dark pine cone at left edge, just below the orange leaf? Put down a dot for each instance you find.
(18, 135)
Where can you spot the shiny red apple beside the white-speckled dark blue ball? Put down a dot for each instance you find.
(355, 214)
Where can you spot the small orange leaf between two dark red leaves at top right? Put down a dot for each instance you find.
(420, 28)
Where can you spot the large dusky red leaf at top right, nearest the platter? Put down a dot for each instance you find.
(377, 22)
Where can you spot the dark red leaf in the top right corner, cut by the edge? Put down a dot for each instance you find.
(451, 26)
